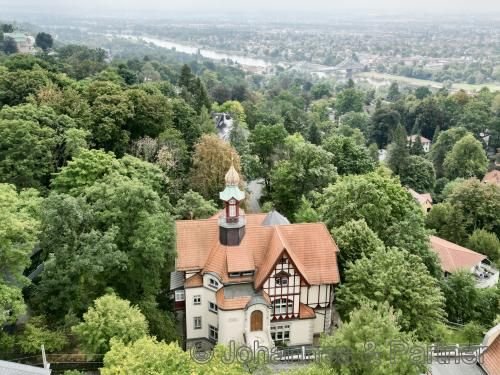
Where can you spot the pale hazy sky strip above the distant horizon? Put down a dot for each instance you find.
(146, 6)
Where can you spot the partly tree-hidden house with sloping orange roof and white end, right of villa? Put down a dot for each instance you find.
(454, 258)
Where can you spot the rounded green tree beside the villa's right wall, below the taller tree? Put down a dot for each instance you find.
(407, 287)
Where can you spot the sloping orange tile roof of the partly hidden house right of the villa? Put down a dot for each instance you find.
(454, 257)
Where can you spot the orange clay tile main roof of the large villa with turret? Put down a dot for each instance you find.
(309, 246)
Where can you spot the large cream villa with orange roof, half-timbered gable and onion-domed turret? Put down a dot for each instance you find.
(248, 278)
